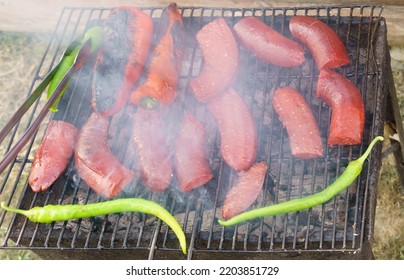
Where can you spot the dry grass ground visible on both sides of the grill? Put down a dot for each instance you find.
(21, 53)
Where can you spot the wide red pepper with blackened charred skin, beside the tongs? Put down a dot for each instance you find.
(127, 38)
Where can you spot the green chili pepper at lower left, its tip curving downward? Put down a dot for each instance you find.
(52, 213)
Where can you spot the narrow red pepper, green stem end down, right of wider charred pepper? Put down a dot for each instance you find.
(165, 66)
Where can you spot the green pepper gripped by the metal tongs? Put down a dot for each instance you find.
(95, 34)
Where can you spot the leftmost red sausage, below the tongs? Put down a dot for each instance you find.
(53, 155)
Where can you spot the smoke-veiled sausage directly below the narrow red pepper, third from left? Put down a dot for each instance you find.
(151, 149)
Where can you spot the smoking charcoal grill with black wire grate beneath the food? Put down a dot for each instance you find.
(341, 228)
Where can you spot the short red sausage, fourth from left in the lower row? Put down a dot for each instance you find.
(191, 164)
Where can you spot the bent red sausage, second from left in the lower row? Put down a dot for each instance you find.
(95, 163)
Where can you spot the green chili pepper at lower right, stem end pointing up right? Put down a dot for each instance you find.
(352, 171)
